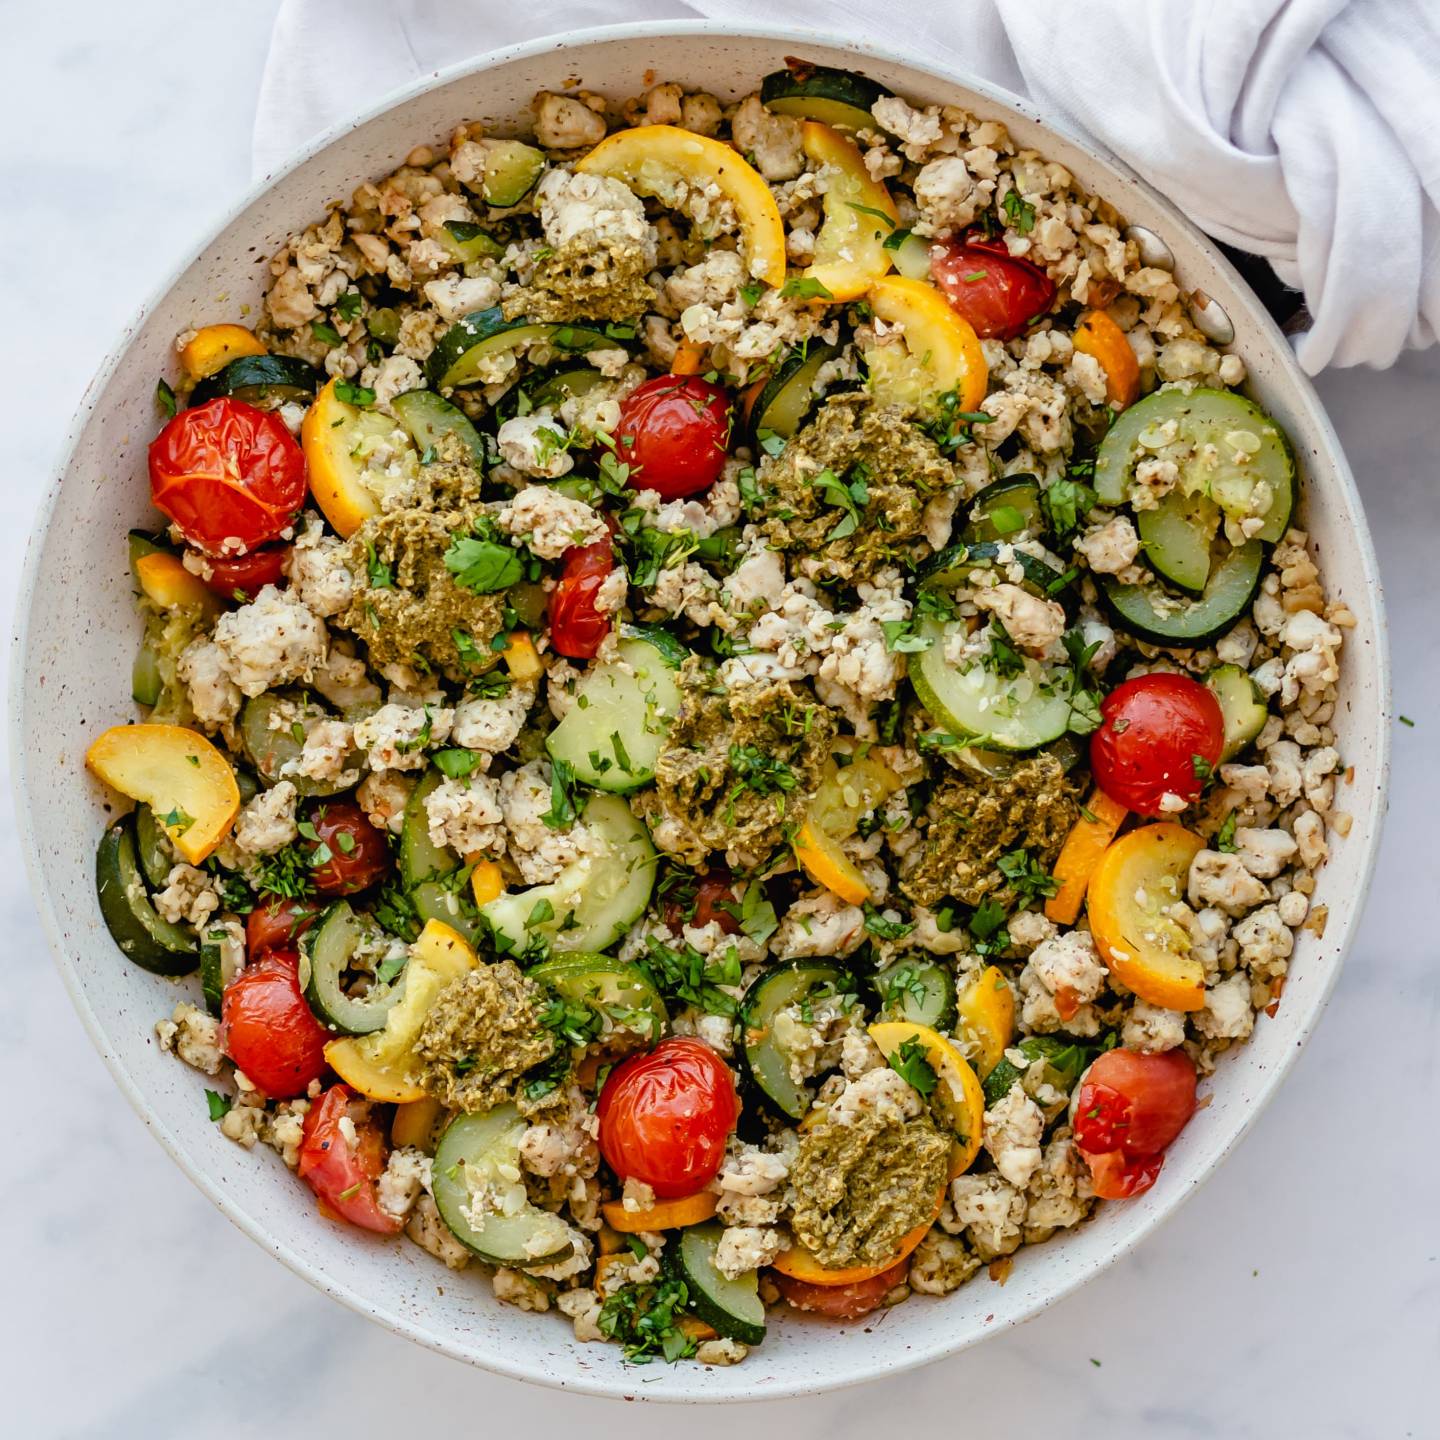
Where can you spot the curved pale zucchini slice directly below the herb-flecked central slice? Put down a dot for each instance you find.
(594, 901)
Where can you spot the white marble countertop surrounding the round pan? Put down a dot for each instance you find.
(1298, 1294)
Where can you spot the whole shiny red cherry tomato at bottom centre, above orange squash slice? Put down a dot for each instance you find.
(666, 1115)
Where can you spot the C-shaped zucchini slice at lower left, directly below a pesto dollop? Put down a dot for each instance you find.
(482, 1197)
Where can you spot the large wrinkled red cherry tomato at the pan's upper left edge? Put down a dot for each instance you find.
(230, 476)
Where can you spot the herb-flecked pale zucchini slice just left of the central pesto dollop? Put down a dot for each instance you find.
(616, 731)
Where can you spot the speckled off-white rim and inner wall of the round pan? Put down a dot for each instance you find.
(78, 634)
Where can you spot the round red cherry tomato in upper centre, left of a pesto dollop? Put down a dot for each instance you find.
(673, 436)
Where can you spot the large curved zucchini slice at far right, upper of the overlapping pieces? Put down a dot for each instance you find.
(1225, 446)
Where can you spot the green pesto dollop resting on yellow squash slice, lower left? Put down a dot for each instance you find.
(482, 1036)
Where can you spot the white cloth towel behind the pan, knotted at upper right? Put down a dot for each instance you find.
(1307, 132)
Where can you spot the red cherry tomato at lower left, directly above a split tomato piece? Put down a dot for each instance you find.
(267, 1027)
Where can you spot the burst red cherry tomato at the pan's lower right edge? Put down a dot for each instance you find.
(1128, 1110)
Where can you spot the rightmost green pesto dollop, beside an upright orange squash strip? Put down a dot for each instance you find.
(974, 820)
